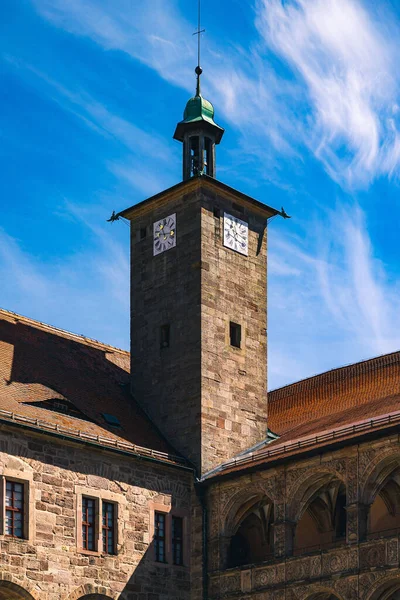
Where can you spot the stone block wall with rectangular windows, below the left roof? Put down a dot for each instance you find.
(51, 564)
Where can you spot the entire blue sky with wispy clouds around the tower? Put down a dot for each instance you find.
(308, 92)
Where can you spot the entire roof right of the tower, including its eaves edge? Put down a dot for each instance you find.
(335, 406)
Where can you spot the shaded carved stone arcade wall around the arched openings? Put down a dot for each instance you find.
(360, 566)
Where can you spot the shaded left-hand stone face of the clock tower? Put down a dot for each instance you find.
(165, 289)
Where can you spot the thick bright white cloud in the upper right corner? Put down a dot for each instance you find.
(348, 65)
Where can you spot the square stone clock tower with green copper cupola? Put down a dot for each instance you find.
(198, 304)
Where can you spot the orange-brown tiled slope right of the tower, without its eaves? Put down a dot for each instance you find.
(338, 397)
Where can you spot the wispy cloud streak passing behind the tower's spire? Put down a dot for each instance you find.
(244, 88)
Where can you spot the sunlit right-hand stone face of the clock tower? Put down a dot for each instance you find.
(233, 288)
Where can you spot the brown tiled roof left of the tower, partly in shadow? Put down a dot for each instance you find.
(40, 365)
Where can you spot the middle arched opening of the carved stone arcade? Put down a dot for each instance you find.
(322, 521)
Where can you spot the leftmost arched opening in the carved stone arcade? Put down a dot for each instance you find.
(252, 541)
